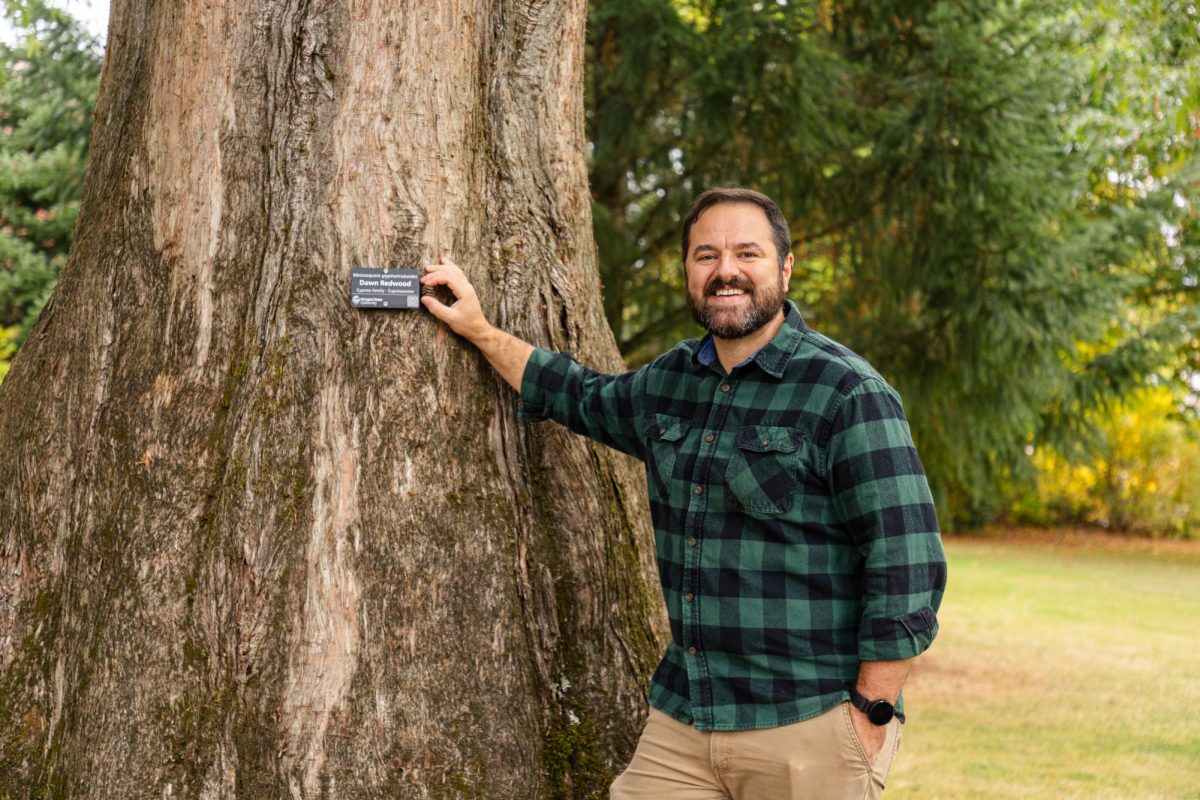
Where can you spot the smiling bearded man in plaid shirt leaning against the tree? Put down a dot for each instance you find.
(795, 532)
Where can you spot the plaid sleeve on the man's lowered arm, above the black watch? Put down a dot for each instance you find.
(883, 500)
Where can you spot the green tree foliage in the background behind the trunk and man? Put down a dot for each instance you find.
(993, 202)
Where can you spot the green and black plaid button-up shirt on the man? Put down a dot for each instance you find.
(795, 531)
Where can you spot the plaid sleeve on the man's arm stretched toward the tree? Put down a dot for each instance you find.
(596, 405)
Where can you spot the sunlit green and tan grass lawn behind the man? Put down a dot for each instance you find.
(1067, 666)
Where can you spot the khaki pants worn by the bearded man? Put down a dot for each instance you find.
(817, 760)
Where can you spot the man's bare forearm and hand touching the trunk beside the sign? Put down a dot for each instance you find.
(507, 354)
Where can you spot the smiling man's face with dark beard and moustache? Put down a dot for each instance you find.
(735, 284)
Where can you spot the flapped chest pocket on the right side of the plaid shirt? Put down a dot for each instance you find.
(761, 477)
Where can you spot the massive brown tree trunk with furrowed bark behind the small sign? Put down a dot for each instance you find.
(259, 544)
